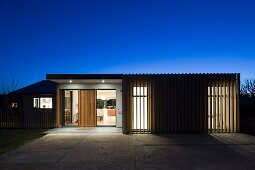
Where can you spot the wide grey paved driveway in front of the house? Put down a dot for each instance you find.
(119, 151)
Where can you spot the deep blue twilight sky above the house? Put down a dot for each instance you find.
(120, 36)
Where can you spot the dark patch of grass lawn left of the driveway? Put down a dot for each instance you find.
(13, 138)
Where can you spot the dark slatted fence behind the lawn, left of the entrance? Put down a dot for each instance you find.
(35, 119)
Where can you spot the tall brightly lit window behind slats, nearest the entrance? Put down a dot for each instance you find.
(140, 111)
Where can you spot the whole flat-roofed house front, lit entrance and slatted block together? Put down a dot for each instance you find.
(149, 103)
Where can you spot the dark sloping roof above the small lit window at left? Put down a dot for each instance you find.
(41, 87)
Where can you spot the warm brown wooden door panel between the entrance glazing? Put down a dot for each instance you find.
(87, 108)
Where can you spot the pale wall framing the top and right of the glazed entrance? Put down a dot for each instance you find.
(116, 86)
